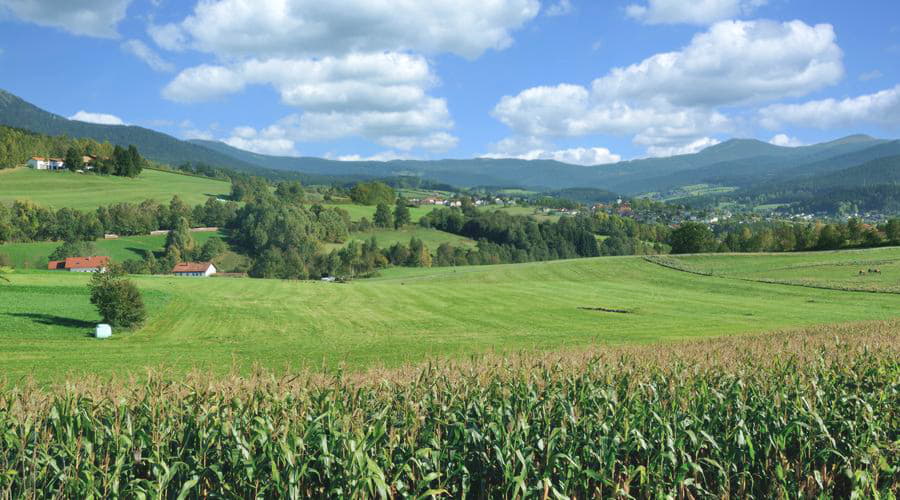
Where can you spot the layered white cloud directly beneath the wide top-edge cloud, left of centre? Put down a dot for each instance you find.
(381, 97)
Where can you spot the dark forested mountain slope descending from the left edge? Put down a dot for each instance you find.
(15, 112)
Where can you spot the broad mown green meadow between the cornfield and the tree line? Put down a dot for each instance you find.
(407, 315)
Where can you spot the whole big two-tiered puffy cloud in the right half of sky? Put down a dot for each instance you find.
(671, 102)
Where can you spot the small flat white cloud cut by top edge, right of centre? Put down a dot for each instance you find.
(691, 12)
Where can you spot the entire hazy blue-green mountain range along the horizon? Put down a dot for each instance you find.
(740, 163)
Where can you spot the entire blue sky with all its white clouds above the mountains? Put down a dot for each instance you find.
(581, 81)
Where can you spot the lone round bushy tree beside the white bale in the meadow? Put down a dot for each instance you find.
(116, 298)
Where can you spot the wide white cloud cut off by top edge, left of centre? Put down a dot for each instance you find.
(312, 28)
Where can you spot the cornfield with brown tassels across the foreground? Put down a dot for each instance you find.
(798, 414)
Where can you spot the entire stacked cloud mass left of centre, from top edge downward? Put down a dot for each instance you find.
(355, 68)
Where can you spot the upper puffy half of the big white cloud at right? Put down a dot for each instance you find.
(734, 62)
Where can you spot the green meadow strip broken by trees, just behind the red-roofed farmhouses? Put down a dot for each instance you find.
(35, 255)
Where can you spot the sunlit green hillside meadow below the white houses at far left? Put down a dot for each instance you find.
(88, 191)
